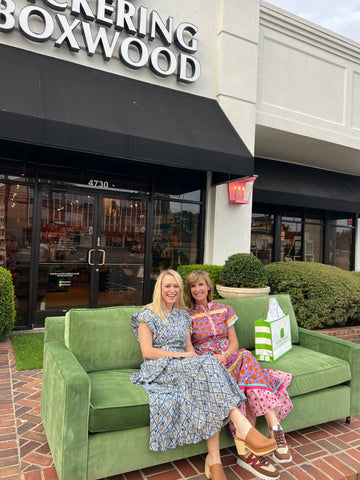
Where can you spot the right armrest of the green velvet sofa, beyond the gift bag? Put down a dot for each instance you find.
(339, 348)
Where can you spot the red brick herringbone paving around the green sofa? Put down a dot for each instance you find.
(327, 451)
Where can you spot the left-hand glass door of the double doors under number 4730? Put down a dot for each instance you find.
(66, 237)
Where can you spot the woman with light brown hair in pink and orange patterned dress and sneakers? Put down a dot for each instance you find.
(213, 333)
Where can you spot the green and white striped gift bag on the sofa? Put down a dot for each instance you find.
(272, 333)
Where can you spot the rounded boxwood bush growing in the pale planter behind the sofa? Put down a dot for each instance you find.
(243, 270)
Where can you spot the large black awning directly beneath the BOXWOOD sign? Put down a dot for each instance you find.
(50, 102)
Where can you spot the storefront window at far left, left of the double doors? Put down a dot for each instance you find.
(16, 213)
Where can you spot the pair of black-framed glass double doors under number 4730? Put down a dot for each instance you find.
(91, 251)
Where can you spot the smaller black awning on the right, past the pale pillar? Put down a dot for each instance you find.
(294, 185)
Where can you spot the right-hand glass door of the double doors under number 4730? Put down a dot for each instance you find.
(121, 247)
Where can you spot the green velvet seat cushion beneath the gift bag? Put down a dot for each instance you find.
(311, 370)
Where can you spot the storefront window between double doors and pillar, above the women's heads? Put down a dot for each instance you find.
(175, 235)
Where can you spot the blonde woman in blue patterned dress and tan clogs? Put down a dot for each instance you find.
(189, 396)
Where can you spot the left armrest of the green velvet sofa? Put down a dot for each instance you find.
(65, 404)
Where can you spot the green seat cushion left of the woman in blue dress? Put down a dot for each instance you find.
(116, 403)
